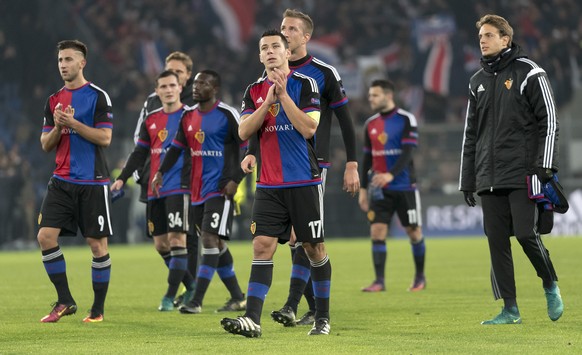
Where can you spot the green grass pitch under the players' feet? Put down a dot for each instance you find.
(444, 318)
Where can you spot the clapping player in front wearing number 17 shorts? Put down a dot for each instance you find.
(282, 110)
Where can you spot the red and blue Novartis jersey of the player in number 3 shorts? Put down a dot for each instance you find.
(214, 146)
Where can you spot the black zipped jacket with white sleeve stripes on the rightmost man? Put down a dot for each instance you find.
(511, 128)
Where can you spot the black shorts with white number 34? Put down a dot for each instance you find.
(168, 214)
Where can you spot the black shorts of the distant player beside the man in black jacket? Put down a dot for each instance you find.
(405, 203)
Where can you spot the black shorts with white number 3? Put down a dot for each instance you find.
(214, 216)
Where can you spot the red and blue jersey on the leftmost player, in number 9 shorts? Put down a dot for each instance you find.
(78, 160)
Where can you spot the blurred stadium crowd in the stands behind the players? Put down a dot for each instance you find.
(365, 39)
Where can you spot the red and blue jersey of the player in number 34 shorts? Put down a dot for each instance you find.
(156, 134)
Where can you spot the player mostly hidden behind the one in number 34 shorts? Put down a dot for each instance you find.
(181, 64)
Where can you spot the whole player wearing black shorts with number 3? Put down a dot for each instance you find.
(209, 132)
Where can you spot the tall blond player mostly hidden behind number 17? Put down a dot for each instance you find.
(297, 27)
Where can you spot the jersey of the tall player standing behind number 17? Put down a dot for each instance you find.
(333, 95)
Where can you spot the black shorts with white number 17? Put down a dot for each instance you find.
(276, 210)
